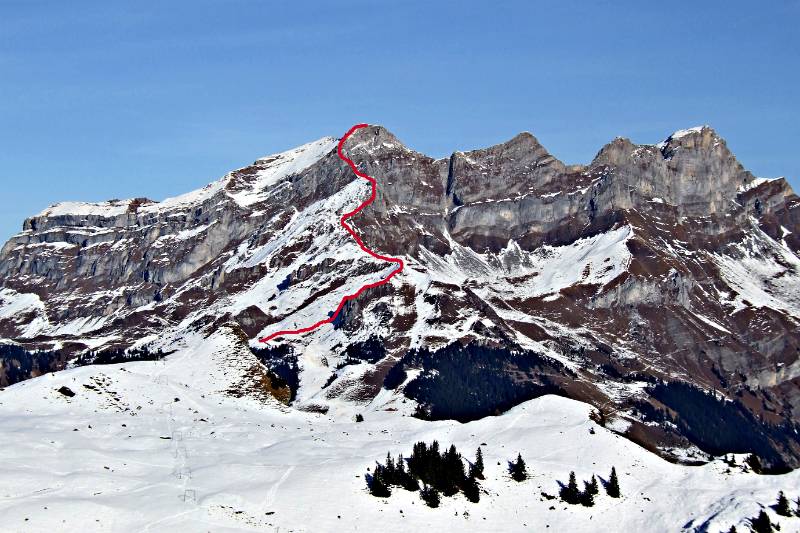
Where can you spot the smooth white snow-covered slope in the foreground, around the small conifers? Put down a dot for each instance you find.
(161, 446)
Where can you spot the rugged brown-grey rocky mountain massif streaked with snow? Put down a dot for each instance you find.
(653, 262)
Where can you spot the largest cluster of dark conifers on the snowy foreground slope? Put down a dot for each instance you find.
(439, 472)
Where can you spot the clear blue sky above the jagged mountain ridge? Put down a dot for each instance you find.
(113, 99)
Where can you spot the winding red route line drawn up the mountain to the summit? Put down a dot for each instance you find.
(343, 222)
